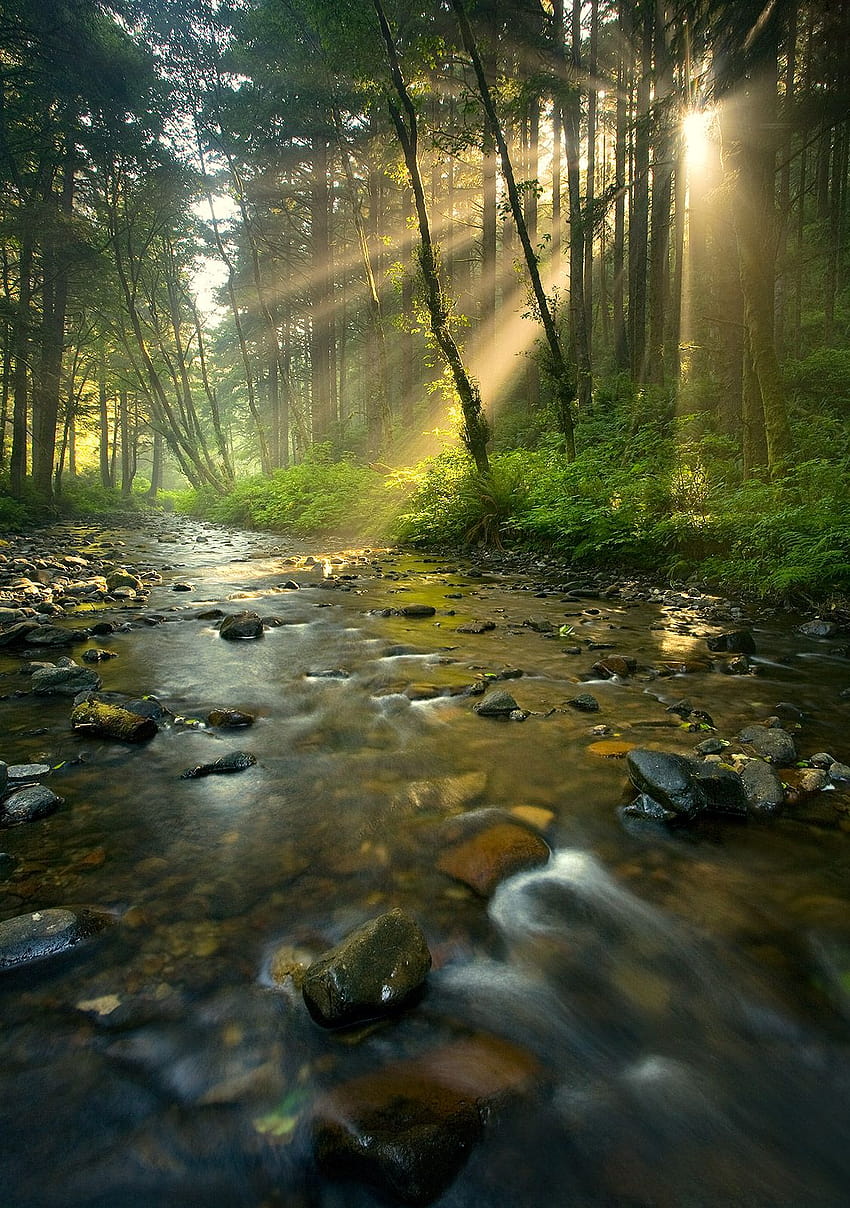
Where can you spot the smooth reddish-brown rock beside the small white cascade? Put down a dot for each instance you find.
(484, 849)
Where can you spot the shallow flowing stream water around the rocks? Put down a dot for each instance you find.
(686, 992)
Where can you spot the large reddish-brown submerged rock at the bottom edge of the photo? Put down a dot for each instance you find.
(409, 1129)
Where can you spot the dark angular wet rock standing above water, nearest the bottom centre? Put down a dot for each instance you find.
(370, 974)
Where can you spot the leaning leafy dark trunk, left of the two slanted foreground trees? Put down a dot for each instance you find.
(406, 124)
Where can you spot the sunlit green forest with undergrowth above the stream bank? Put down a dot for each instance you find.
(568, 276)
